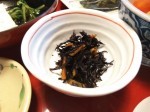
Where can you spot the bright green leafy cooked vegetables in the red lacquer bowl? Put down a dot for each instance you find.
(22, 12)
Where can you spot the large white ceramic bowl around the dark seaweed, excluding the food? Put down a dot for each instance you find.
(121, 42)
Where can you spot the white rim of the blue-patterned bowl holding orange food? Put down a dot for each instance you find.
(135, 10)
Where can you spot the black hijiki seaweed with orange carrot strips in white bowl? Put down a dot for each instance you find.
(81, 63)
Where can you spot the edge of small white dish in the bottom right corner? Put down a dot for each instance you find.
(143, 106)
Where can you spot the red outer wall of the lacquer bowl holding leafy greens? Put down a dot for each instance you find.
(14, 35)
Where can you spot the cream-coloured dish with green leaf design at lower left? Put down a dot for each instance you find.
(15, 87)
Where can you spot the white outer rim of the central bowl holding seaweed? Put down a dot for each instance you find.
(89, 93)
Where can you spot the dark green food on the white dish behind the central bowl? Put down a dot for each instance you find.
(104, 5)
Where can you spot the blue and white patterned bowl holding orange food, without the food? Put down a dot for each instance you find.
(140, 22)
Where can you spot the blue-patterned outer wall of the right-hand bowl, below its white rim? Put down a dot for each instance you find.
(142, 28)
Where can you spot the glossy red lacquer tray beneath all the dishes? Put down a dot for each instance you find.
(45, 99)
